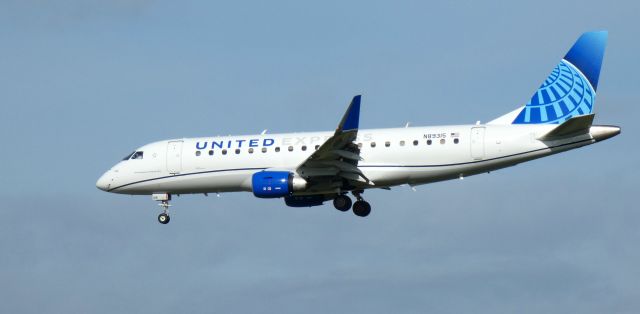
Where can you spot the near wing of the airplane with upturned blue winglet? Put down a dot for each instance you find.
(334, 165)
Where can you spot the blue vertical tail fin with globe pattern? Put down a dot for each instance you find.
(570, 89)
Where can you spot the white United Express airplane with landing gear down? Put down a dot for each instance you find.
(311, 168)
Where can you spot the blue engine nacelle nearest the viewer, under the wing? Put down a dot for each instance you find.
(273, 184)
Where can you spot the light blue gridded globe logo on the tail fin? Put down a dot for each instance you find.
(564, 94)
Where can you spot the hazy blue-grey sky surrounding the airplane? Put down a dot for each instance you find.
(82, 83)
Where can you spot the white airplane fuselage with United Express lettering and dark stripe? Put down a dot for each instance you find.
(413, 155)
